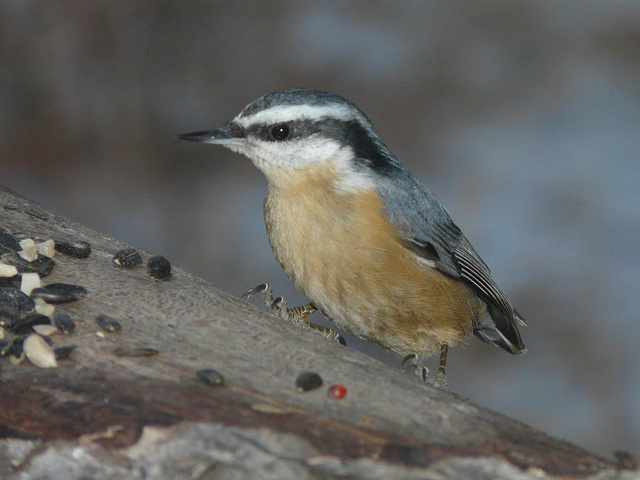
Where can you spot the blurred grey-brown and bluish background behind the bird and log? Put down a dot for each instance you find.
(522, 117)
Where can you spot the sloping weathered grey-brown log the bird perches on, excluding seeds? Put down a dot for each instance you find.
(100, 415)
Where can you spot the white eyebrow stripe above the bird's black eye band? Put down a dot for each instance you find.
(288, 113)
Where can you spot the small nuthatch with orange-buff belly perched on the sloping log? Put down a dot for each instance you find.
(360, 236)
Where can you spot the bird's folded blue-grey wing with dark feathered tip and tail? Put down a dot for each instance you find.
(430, 233)
